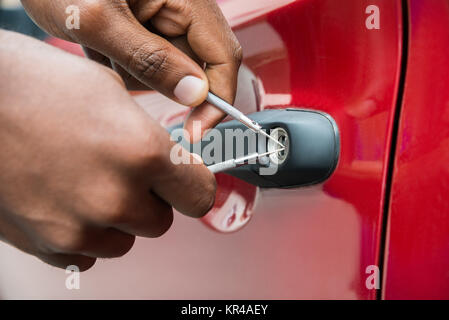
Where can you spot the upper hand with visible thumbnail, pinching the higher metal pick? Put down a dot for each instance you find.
(187, 35)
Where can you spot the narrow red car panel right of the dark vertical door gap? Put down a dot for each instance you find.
(417, 247)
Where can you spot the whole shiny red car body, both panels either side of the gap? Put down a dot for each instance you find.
(377, 228)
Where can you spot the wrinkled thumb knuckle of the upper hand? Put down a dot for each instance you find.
(147, 63)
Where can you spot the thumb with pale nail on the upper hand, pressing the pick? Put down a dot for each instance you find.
(153, 61)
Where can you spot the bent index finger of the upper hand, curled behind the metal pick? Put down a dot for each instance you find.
(211, 40)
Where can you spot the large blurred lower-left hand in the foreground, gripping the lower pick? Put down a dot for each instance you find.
(83, 169)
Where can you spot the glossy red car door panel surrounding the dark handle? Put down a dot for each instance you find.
(323, 241)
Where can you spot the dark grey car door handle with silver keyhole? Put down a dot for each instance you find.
(311, 139)
